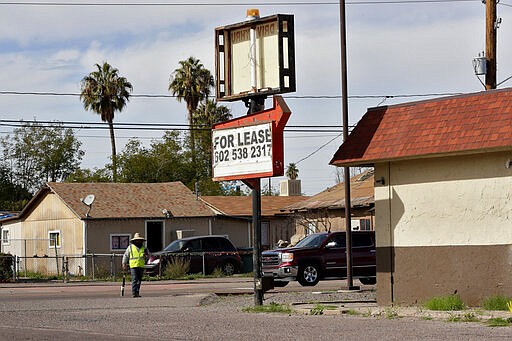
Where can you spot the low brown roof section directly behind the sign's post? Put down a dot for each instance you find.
(241, 206)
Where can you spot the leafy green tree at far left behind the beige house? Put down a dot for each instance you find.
(35, 154)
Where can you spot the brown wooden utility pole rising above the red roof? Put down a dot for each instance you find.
(491, 25)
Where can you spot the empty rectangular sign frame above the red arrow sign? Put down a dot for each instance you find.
(274, 60)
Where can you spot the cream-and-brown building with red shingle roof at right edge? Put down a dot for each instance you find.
(443, 195)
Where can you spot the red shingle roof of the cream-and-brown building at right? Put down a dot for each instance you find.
(472, 123)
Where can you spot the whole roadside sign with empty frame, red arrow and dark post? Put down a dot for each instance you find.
(253, 59)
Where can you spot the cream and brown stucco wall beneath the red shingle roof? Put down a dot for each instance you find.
(444, 225)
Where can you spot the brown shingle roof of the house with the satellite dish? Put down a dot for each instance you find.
(128, 200)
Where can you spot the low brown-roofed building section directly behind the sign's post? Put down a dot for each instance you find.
(233, 212)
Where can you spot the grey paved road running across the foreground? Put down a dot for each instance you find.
(179, 311)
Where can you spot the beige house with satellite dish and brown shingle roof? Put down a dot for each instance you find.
(58, 222)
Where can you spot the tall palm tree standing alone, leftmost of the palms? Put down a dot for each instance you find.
(105, 92)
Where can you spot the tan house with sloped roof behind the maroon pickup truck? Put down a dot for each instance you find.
(325, 211)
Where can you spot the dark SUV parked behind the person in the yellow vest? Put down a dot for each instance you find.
(205, 254)
